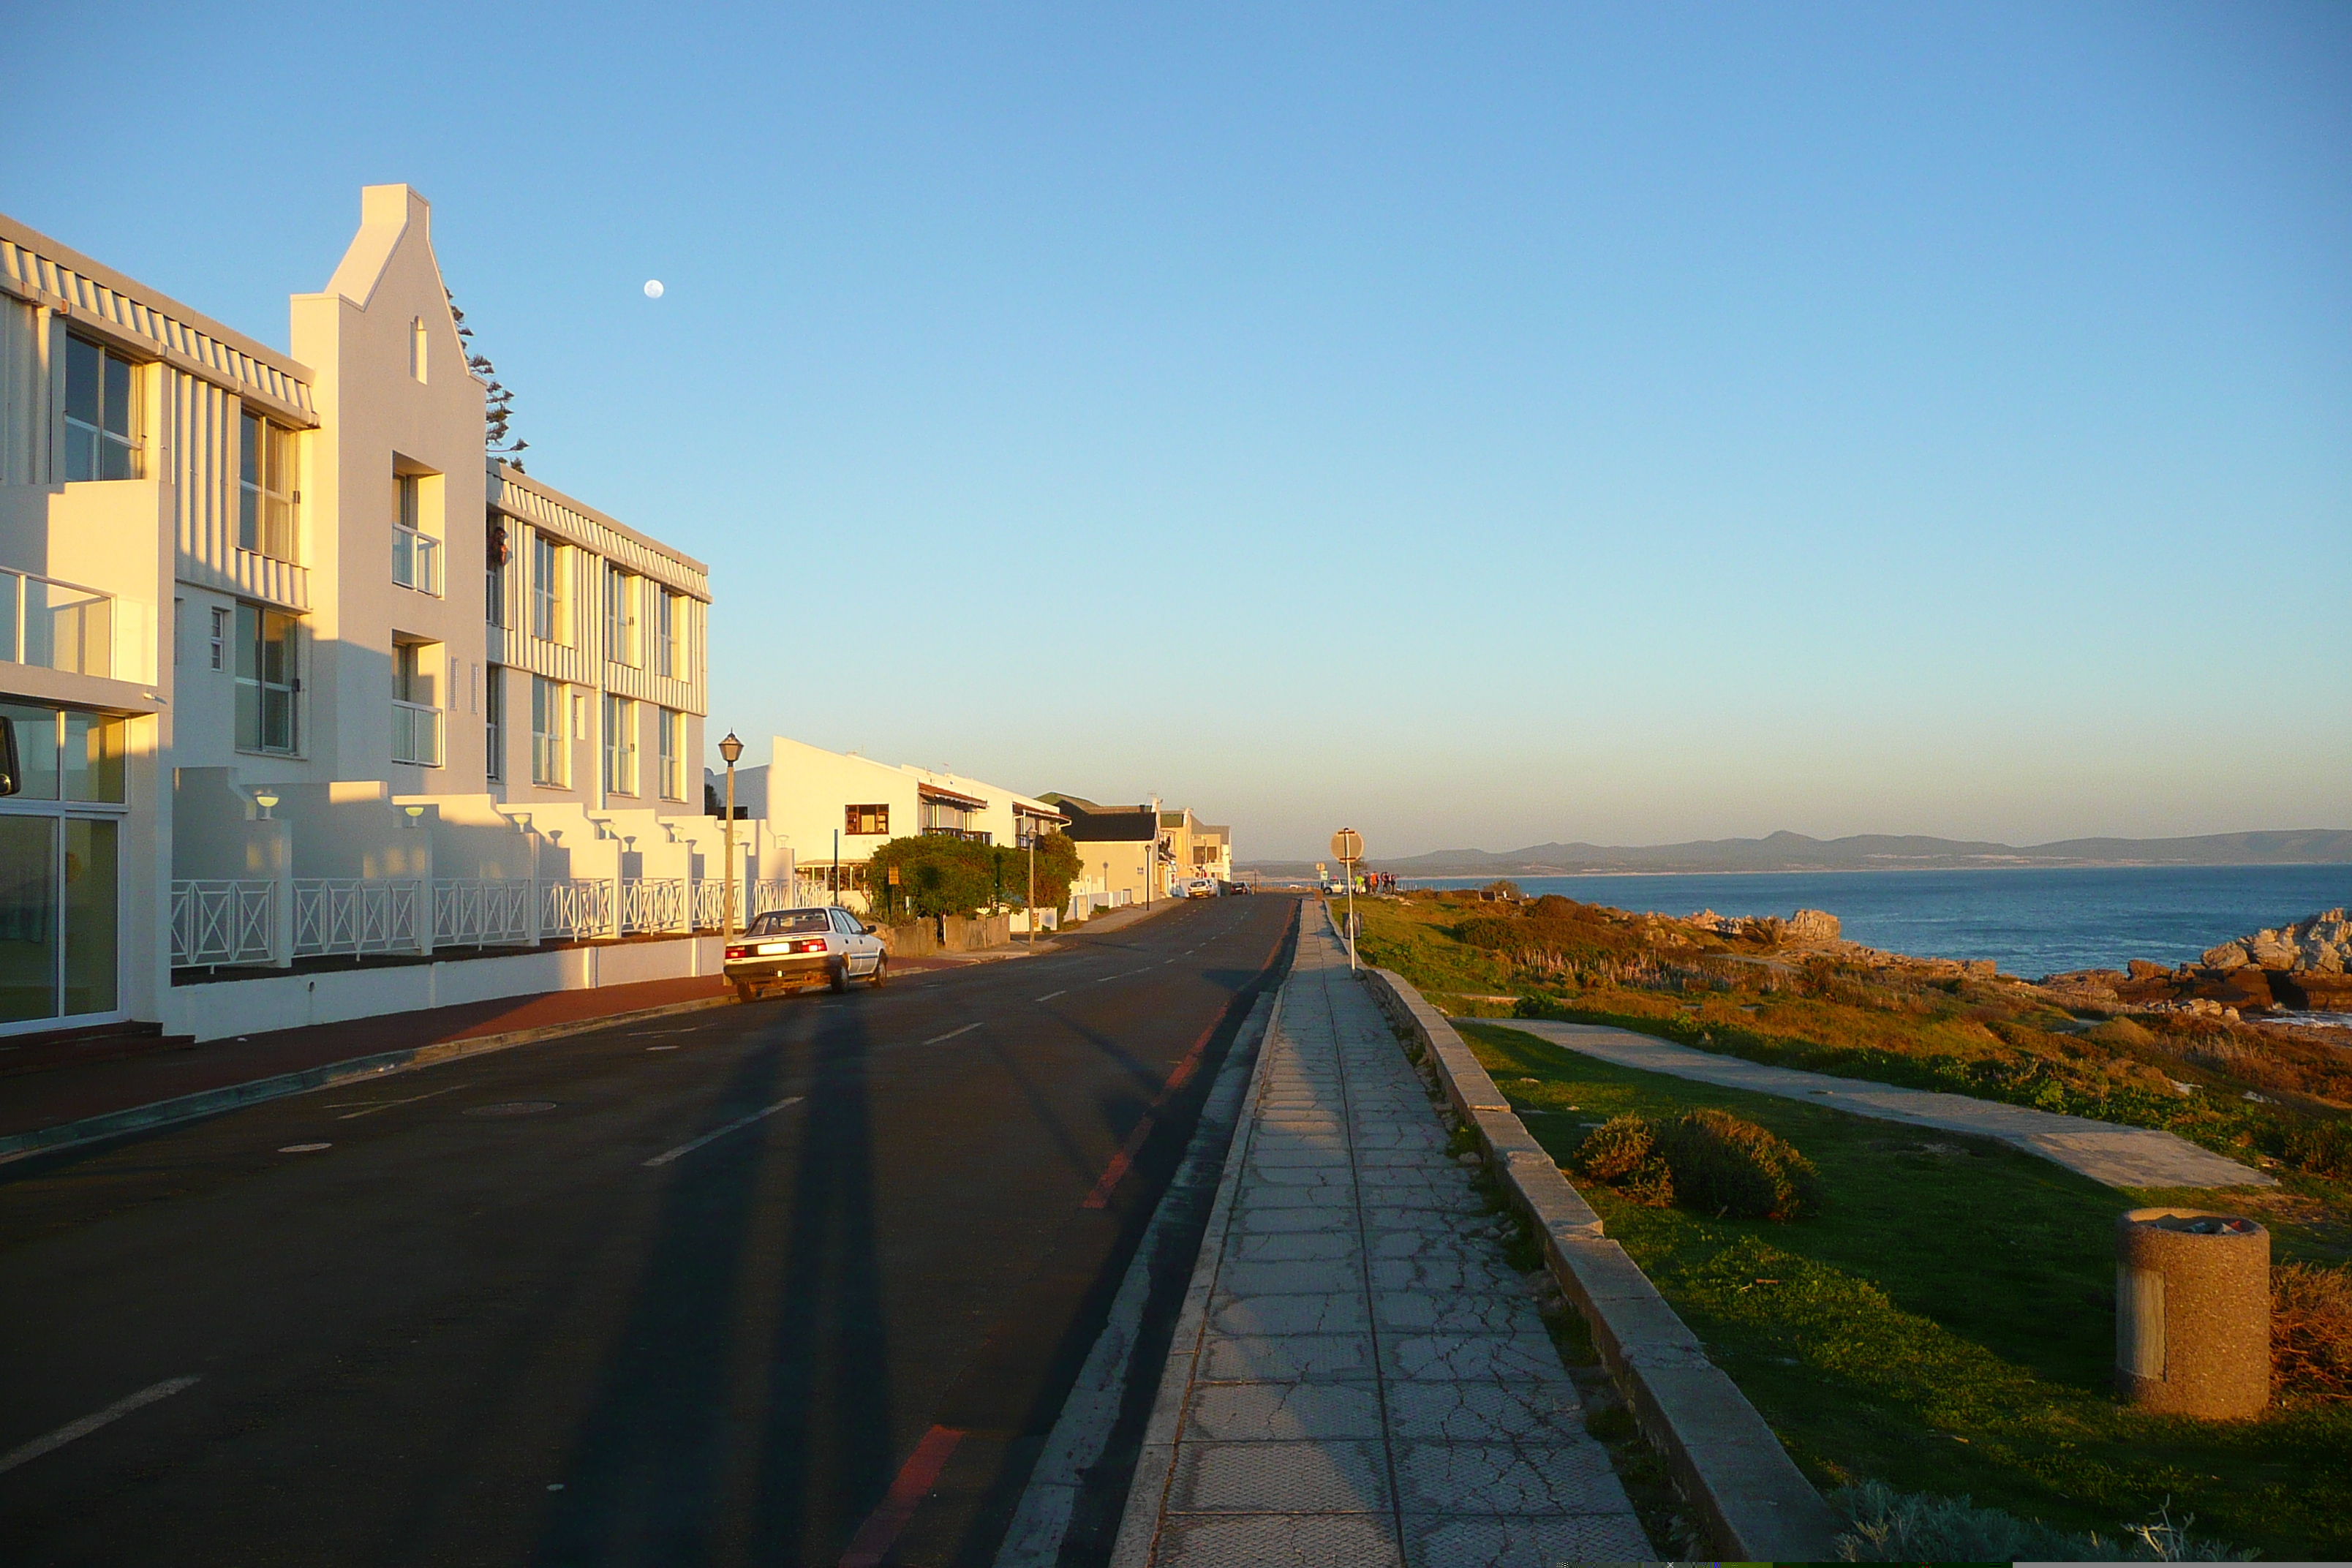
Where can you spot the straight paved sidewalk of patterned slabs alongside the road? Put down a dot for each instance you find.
(1358, 1374)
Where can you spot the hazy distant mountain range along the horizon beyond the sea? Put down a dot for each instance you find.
(1866, 852)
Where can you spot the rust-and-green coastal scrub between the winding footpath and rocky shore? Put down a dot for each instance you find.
(2261, 1094)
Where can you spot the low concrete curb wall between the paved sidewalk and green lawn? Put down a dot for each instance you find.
(1728, 1463)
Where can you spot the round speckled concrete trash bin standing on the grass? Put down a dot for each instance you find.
(2193, 1313)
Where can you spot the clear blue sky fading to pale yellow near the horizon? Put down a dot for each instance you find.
(1481, 424)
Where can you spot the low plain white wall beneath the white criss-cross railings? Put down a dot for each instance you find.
(290, 1003)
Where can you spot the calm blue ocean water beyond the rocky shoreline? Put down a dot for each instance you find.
(2031, 923)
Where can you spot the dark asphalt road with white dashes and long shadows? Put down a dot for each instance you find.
(796, 1282)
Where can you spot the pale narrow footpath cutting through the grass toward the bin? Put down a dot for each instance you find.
(2104, 1151)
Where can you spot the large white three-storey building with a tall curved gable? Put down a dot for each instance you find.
(305, 683)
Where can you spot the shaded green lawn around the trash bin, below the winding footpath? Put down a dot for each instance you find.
(1946, 1325)
